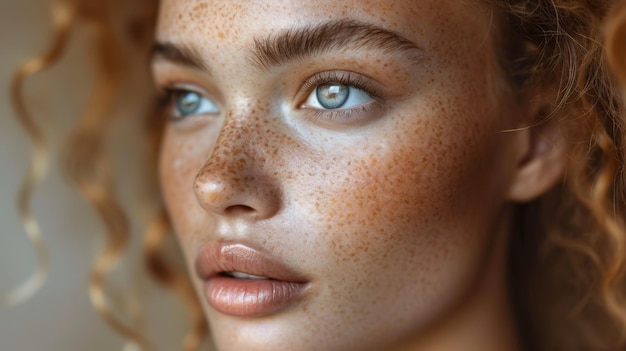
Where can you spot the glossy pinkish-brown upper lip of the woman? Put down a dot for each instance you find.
(222, 257)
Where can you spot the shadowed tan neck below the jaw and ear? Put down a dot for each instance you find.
(485, 321)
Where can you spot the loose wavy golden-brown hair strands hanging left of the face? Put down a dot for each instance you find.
(87, 164)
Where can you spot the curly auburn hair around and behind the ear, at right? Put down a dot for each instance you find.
(570, 270)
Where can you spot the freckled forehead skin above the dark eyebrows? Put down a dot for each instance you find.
(230, 25)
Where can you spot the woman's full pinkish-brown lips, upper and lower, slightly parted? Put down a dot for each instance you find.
(247, 297)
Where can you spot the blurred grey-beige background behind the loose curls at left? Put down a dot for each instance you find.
(60, 316)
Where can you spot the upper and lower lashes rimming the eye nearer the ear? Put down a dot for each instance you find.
(339, 116)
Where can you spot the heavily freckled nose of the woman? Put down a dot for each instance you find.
(236, 179)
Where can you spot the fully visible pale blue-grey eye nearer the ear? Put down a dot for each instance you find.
(333, 96)
